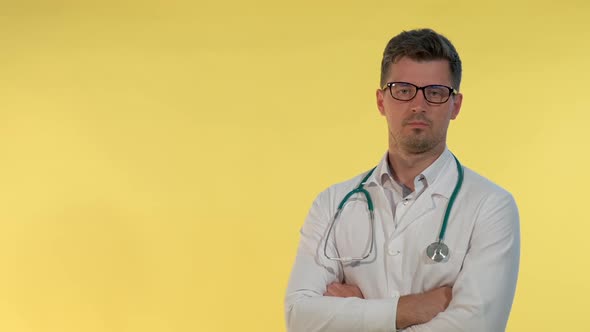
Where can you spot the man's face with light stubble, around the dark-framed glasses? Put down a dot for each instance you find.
(417, 126)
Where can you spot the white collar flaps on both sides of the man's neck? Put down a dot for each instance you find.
(430, 175)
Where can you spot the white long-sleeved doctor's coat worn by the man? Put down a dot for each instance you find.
(482, 235)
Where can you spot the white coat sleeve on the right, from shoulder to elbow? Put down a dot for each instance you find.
(484, 290)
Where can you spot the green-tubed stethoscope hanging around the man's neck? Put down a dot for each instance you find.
(437, 251)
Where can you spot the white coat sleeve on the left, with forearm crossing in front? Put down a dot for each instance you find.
(306, 309)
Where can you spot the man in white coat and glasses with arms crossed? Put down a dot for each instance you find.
(413, 268)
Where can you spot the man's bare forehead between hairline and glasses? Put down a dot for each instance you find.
(420, 72)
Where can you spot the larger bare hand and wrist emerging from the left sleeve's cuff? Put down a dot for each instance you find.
(421, 308)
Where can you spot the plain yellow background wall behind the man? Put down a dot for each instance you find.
(157, 158)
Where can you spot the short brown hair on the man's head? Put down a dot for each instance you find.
(422, 45)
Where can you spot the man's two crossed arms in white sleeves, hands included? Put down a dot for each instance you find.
(480, 299)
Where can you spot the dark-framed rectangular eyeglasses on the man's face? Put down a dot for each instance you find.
(436, 94)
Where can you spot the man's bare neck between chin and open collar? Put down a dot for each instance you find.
(406, 166)
